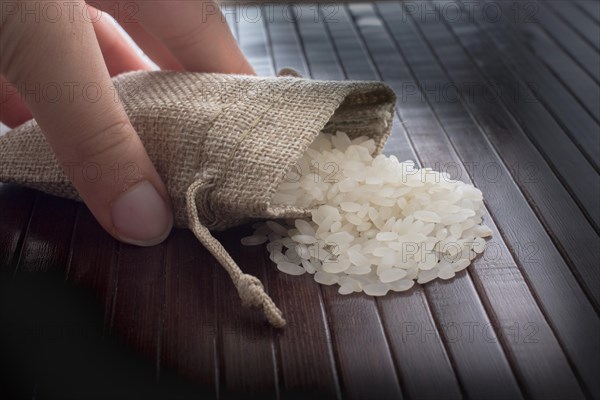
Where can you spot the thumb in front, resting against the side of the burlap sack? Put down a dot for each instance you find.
(59, 71)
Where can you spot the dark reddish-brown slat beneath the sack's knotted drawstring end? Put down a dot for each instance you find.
(246, 349)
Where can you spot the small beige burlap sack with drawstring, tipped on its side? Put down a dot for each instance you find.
(221, 143)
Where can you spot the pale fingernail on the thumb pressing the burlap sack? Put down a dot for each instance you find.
(141, 216)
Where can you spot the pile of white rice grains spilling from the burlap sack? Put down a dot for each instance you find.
(377, 224)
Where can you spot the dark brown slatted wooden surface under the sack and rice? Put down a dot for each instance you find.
(501, 94)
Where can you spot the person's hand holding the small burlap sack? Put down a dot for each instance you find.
(55, 65)
